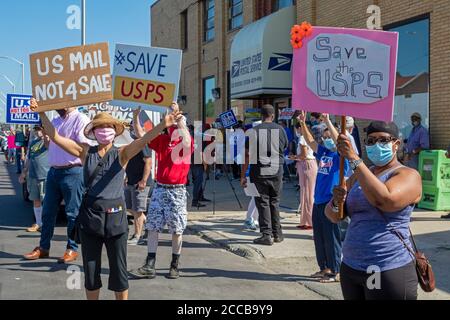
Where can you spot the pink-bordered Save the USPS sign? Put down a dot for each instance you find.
(347, 72)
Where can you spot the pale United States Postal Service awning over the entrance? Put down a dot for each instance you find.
(261, 57)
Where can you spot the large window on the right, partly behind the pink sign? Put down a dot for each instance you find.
(413, 73)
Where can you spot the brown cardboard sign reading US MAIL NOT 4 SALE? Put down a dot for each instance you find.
(71, 77)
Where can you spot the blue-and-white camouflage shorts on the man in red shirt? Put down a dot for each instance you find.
(168, 207)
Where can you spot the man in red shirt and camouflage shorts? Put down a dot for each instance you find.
(169, 199)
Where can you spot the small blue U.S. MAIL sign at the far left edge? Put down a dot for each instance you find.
(18, 110)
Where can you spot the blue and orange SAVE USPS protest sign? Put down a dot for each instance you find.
(146, 76)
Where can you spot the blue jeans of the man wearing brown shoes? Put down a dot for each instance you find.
(61, 184)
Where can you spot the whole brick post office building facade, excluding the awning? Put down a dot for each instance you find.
(205, 30)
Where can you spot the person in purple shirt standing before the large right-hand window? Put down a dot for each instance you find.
(418, 140)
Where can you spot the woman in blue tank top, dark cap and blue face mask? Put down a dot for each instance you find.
(380, 202)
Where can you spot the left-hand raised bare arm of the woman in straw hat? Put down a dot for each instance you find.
(68, 145)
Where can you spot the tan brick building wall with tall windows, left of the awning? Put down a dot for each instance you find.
(204, 30)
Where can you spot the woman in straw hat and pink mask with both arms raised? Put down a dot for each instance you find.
(102, 218)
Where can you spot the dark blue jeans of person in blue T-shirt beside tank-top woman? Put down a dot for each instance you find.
(327, 240)
